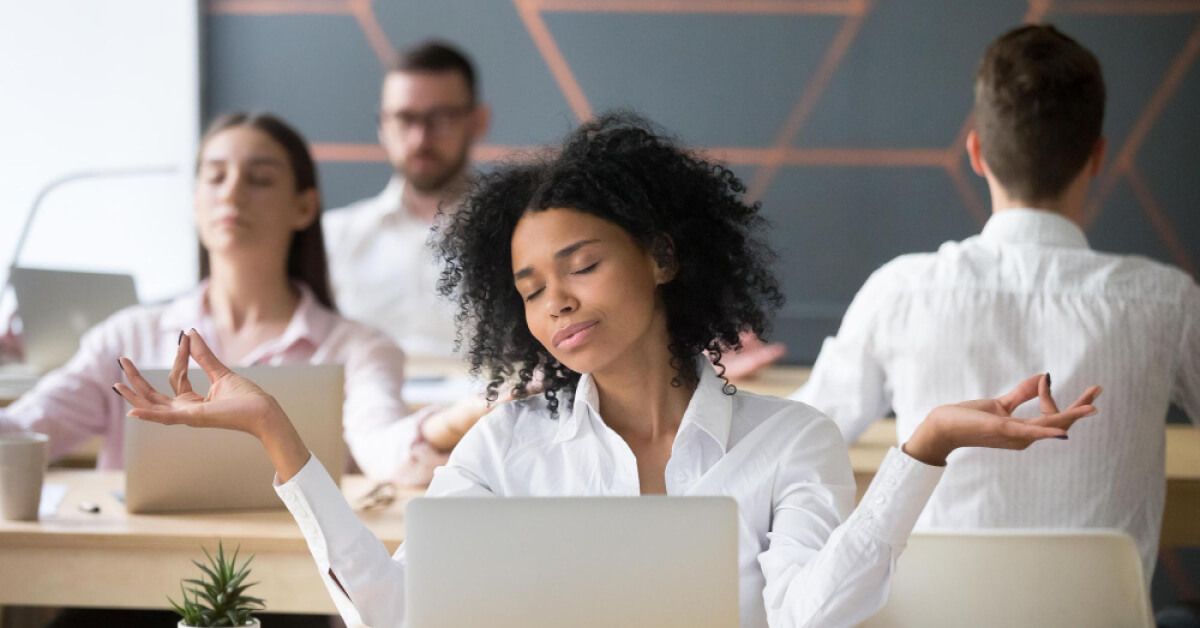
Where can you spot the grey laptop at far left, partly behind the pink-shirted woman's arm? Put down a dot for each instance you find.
(57, 307)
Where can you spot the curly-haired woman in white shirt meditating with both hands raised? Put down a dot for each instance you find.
(620, 270)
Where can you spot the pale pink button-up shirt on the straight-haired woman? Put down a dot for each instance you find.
(77, 402)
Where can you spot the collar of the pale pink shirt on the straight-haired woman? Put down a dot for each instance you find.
(310, 324)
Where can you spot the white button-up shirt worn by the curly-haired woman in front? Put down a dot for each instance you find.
(805, 560)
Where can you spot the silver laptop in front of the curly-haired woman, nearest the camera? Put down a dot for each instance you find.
(572, 561)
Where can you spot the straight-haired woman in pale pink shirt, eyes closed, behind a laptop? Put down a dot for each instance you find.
(263, 300)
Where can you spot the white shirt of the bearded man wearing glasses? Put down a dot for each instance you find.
(386, 274)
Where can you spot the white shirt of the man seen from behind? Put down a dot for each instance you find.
(1024, 297)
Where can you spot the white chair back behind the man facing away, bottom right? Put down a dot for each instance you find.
(1018, 578)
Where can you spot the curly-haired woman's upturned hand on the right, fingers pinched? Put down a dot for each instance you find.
(991, 423)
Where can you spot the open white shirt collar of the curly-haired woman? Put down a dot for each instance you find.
(710, 410)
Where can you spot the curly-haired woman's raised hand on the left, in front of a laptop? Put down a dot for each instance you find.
(233, 403)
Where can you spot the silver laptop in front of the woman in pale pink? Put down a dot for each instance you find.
(178, 469)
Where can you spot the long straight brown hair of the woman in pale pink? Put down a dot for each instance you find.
(307, 255)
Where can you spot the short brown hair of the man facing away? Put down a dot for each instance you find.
(1040, 111)
